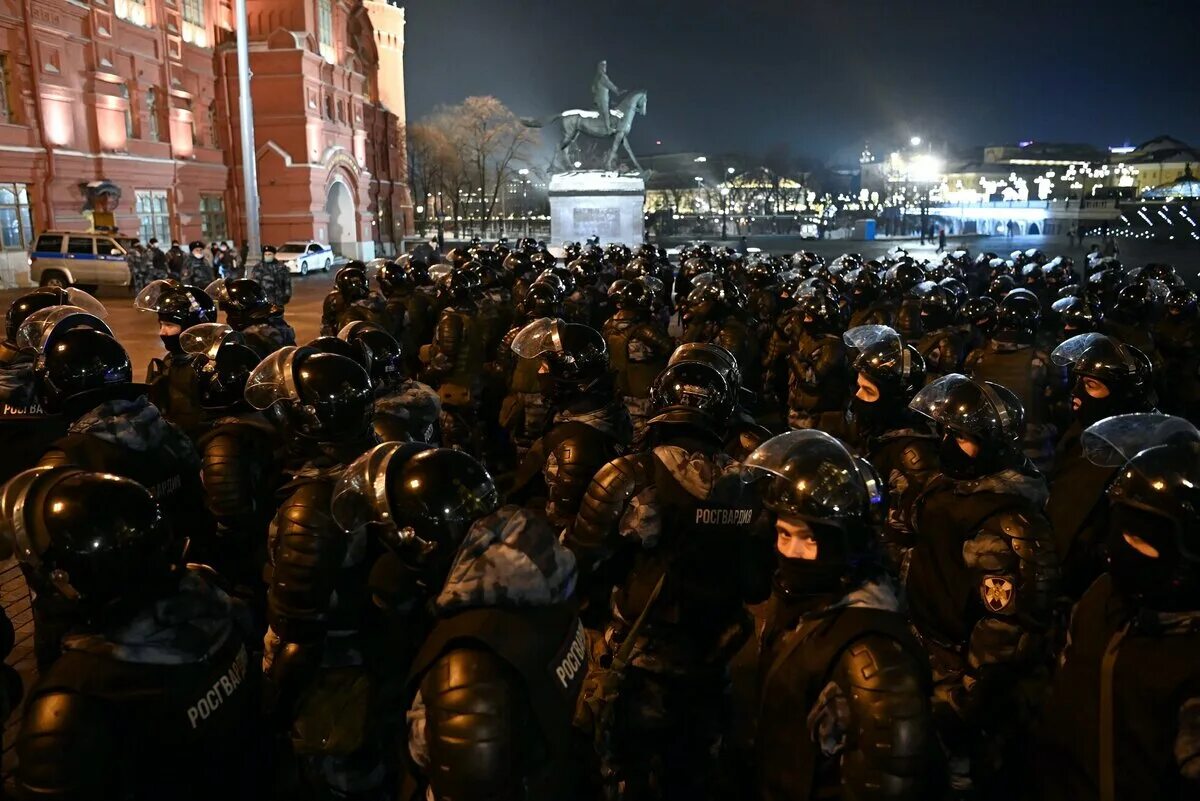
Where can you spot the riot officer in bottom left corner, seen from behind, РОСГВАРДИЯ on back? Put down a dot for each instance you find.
(154, 674)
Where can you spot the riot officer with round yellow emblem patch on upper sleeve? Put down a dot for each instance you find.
(981, 579)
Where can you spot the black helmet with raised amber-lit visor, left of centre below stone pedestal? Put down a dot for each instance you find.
(575, 358)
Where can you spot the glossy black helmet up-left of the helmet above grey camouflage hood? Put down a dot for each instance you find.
(323, 398)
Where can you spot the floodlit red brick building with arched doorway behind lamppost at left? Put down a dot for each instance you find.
(145, 93)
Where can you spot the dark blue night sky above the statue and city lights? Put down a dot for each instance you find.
(823, 76)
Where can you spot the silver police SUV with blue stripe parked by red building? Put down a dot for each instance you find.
(85, 260)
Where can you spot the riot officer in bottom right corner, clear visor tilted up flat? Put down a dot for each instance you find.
(1121, 721)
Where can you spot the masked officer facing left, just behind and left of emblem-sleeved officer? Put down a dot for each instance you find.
(899, 443)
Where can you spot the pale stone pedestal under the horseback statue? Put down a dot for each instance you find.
(596, 203)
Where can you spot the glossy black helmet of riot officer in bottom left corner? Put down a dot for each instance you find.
(93, 539)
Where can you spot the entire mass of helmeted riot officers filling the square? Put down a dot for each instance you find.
(605, 525)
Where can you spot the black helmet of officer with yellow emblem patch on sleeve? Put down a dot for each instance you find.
(987, 414)
